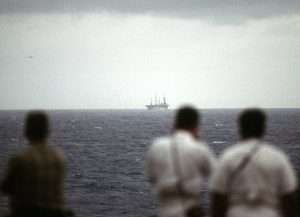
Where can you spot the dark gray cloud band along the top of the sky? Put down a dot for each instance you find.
(213, 9)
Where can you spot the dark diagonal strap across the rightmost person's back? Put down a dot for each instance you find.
(245, 161)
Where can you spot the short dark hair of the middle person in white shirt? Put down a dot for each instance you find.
(187, 117)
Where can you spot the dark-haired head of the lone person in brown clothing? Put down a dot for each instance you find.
(36, 126)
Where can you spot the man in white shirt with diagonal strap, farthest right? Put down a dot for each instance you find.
(253, 178)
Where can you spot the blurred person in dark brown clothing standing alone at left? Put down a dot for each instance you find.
(34, 181)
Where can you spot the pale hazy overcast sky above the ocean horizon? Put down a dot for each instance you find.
(118, 54)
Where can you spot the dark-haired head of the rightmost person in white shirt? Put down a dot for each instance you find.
(252, 123)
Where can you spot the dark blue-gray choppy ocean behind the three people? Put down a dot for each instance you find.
(105, 152)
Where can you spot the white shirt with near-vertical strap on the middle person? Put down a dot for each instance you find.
(196, 162)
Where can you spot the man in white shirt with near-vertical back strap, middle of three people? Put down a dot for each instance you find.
(177, 165)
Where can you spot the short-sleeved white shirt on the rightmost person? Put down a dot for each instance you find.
(256, 189)
